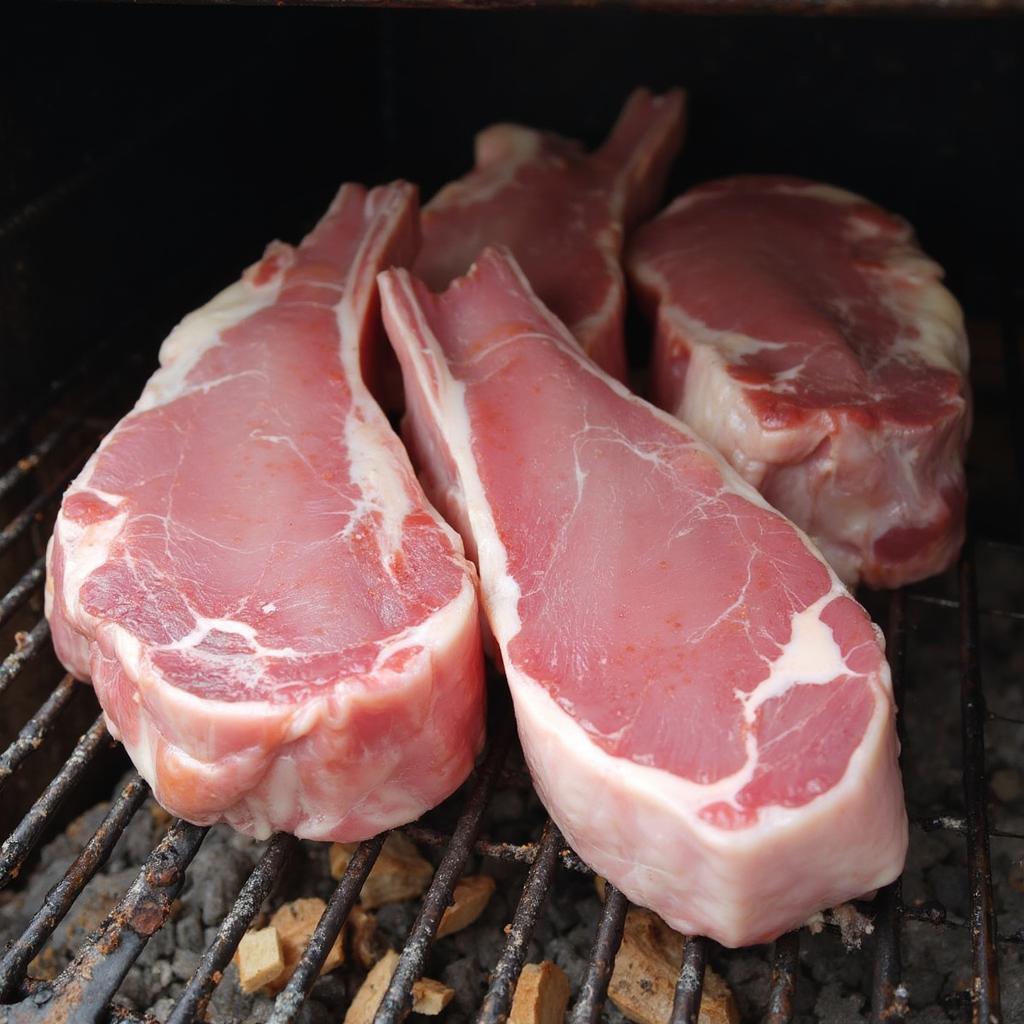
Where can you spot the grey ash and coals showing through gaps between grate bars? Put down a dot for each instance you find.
(835, 976)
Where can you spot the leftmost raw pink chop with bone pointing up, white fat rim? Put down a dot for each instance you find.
(280, 628)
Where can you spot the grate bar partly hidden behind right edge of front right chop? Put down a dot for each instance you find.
(888, 995)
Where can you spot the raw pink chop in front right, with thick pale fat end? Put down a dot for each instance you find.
(706, 711)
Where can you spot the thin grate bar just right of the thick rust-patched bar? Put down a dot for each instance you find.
(193, 1003)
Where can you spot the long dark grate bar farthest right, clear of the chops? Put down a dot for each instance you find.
(986, 997)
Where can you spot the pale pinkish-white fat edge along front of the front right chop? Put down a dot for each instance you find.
(740, 887)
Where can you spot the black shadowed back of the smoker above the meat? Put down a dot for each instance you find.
(147, 154)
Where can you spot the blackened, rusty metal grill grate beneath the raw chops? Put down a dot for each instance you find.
(83, 992)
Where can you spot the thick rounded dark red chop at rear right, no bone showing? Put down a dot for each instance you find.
(802, 332)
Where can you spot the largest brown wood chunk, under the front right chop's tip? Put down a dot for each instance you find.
(644, 983)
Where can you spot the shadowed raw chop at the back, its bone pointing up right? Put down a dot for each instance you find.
(563, 212)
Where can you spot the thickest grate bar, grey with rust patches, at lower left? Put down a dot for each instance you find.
(82, 993)
